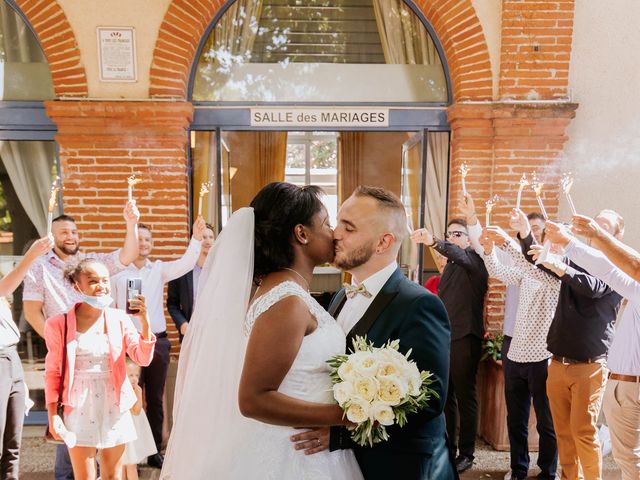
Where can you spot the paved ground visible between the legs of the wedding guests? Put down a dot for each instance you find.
(37, 461)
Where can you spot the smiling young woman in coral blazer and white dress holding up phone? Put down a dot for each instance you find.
(97, 396)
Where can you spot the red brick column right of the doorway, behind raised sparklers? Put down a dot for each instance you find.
(500, 142)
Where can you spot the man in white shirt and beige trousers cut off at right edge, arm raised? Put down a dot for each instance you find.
(622, 395)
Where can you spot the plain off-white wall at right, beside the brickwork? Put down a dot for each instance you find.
(603, 150)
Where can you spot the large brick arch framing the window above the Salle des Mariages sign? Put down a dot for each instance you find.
(455, 23)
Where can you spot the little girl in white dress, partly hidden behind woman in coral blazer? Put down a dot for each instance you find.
(144, 446)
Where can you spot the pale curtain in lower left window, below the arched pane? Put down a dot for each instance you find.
(29, 165)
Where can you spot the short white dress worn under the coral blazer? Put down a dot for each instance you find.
(96, 418)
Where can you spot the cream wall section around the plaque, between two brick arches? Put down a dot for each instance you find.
(144, 15)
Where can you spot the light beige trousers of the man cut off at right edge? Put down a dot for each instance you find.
(622, 411)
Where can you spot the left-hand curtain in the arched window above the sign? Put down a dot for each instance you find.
(234, 35)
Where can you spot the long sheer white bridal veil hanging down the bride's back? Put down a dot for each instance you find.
(206, 418)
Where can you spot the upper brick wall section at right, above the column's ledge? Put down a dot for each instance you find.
(536, 49)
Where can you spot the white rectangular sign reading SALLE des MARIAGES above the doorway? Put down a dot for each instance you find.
(320, 117)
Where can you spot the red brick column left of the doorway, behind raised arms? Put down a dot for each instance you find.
(103, 143)
